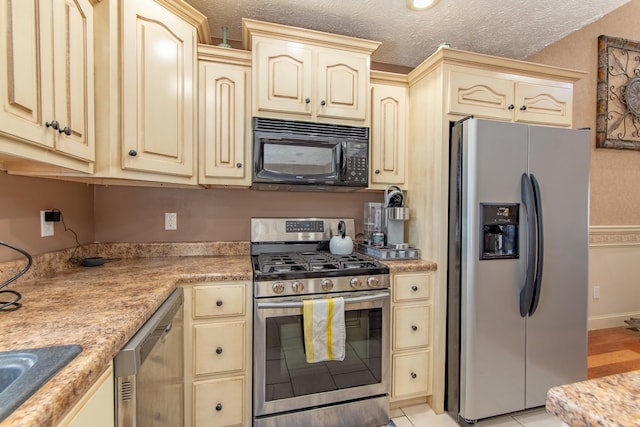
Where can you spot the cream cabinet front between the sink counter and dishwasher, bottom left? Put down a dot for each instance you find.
(96, 407)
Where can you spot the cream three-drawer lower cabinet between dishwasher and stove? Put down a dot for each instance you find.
(218, 343)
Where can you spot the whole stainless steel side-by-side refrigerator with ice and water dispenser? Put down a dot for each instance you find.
(518, 265)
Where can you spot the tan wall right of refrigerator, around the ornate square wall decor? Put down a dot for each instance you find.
(615, 174)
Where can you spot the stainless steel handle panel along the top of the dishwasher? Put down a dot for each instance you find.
(133, 354)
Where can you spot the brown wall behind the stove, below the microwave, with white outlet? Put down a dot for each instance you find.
(135, 214)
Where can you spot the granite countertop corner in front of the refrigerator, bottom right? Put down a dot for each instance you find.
(610, 401)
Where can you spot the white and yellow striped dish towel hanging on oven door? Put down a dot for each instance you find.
(324, 331)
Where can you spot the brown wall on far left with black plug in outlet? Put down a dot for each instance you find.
(22, 199)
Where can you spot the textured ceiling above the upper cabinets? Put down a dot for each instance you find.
(509, 28)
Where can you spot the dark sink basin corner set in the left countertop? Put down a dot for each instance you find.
(23, 372)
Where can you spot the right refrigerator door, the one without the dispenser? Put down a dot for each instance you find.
(557, 331)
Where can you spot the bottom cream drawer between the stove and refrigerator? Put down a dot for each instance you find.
(411, 374)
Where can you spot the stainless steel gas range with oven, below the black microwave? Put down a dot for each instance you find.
(291, 262)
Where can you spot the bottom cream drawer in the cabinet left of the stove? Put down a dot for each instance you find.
(219, 402)
